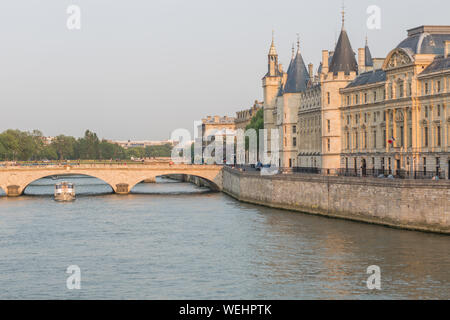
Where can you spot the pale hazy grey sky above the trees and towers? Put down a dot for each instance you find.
(138, 69)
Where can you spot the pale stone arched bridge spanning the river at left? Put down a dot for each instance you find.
(121, 177)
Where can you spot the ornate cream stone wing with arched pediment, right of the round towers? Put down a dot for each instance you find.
(396, 118)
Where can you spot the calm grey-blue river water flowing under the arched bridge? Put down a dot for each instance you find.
(177, 241)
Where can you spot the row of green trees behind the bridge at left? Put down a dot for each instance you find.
(16, 145)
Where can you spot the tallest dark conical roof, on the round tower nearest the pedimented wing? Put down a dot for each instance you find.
(343, 57)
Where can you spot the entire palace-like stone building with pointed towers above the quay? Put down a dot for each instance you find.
(364, 116)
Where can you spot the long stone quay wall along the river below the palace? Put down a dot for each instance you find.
(409, 204)
